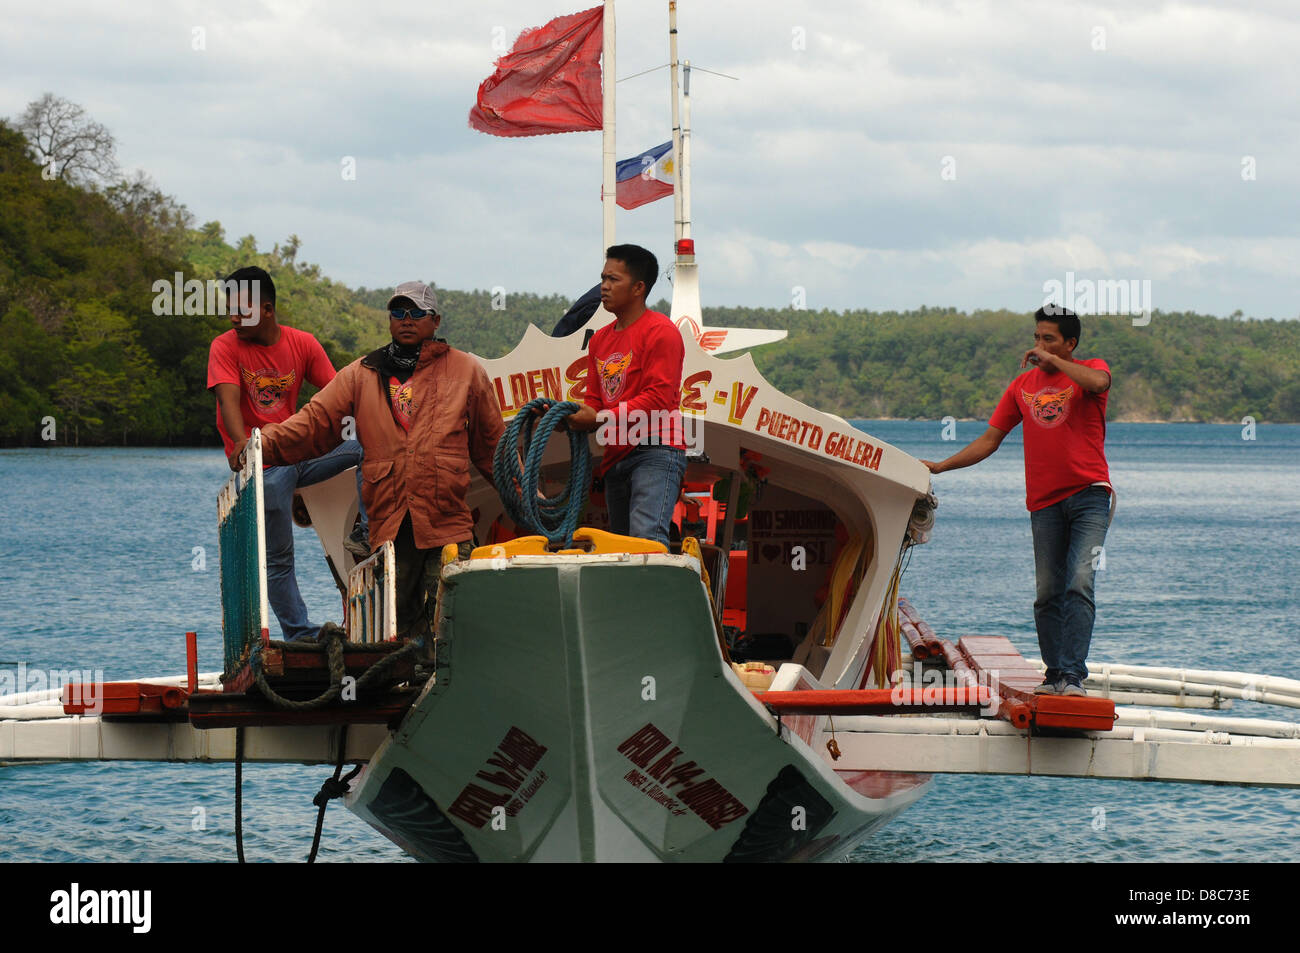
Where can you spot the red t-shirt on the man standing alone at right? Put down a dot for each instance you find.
(1065, 434)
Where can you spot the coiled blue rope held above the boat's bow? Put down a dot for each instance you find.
(557, 517)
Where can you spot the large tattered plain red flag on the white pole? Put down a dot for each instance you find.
(549, 83)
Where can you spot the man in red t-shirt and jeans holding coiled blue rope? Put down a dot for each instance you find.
(634, 396)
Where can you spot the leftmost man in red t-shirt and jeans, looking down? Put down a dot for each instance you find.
(257, 370)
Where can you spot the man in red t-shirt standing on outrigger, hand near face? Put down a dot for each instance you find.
(1063, 404)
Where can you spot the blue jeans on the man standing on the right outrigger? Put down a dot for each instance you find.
(1068, 540)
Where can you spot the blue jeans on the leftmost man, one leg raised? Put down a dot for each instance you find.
(279, 486)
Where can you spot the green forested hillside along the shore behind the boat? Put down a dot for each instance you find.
(83, 346)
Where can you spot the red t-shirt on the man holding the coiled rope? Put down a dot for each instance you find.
(638, 372)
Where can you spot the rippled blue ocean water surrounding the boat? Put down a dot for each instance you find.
(109, 557)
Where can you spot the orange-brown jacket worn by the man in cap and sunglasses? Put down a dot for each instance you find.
(456, 421)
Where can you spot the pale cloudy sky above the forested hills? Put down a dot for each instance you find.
(868, 155)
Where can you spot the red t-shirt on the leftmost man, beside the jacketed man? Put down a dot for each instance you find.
(268, 378)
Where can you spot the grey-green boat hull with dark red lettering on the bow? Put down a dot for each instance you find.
(583, 712)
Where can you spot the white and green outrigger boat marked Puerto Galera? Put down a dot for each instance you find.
(759, 692)
